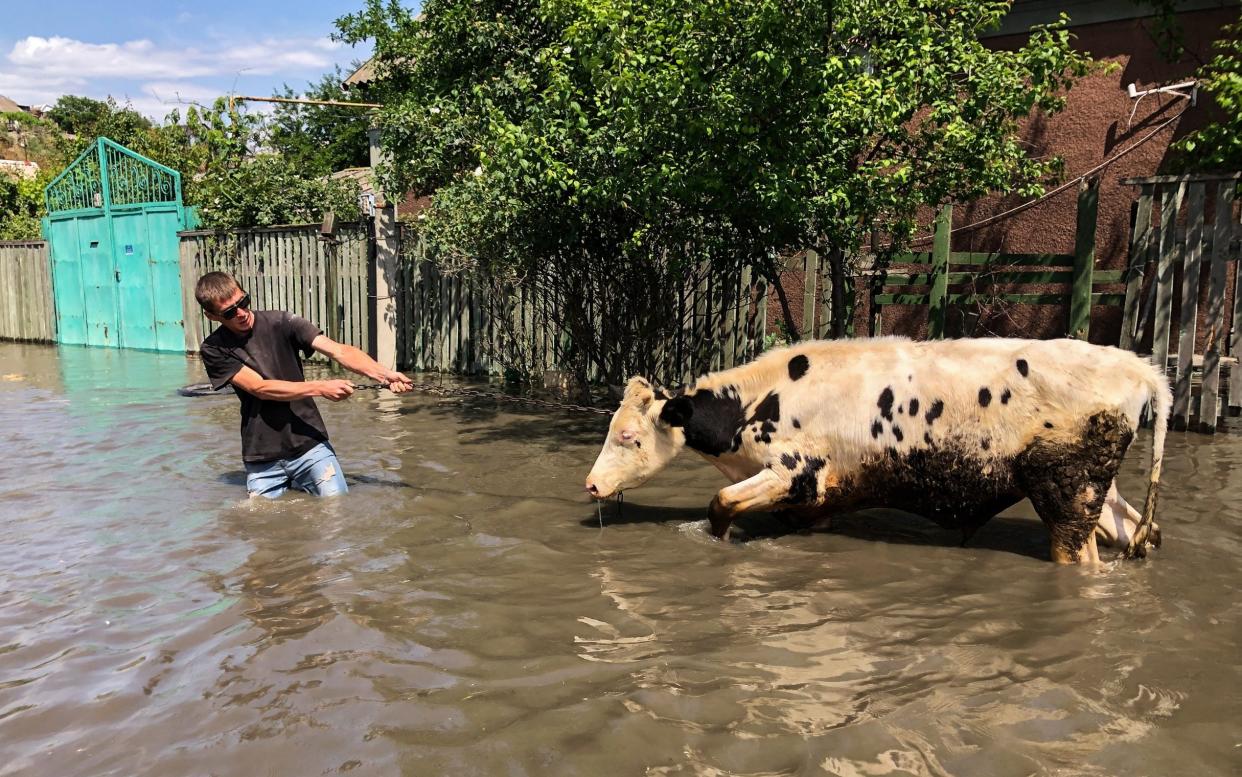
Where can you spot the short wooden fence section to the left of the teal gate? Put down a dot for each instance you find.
(27, 308)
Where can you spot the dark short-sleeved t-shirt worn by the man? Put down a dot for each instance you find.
(270, 429)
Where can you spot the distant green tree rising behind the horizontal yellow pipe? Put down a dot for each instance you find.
(321, 140)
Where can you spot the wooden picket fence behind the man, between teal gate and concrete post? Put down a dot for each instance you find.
(289, 267)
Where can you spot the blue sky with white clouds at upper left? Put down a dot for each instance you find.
(158, 56)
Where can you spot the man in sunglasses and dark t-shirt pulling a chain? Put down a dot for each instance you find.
(284, 441)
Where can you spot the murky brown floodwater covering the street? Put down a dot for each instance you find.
(463, 611)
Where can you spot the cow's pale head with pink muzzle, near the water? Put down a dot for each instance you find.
(639, 444)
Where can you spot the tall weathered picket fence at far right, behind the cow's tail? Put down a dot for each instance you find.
(1188, 229)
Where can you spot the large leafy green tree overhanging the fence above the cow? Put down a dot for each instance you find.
(604, 133)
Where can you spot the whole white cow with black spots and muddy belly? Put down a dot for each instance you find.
(953, 430)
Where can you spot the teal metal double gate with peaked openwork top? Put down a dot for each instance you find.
(112, 223)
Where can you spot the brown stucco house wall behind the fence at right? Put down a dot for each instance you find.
(1095, 126)
